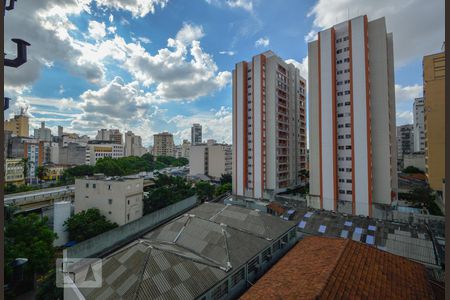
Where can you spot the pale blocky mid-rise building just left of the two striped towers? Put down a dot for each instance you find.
(211, 159)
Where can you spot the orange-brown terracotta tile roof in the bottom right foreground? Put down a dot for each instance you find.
(334, 268)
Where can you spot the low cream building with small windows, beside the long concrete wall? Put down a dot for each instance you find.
(119, 200)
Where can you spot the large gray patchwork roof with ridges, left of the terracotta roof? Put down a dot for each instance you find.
(189, 255)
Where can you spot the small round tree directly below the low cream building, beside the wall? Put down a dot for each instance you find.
(87, 224)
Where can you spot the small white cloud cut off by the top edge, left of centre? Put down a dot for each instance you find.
(137, 8)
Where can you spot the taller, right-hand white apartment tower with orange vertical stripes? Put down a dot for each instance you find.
(353, 159)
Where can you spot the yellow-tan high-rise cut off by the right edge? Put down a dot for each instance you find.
(434, 94)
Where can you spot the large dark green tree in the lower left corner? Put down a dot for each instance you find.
(29, 237)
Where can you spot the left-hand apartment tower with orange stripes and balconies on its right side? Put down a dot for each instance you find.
(269, 127)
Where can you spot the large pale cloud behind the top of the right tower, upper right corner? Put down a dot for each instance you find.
(418, 29)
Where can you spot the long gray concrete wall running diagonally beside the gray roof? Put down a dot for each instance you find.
(108, 241)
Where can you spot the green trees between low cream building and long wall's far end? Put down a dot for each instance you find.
(167, 190)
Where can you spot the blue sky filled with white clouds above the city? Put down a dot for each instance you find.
(161, 65)
